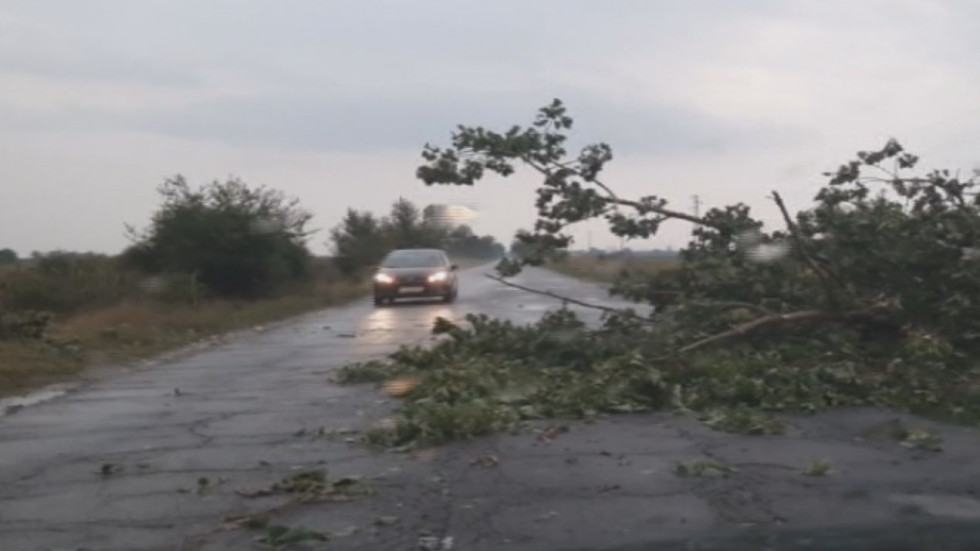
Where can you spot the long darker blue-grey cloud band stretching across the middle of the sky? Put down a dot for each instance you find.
(367, 124)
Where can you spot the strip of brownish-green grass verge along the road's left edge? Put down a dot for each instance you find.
(141, 328)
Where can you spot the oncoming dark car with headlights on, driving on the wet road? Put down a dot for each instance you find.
(409, 273)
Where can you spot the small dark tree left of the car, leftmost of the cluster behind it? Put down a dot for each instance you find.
(358, 241)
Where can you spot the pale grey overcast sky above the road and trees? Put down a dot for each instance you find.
(332, 101)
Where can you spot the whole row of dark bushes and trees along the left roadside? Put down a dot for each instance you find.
(224, 240)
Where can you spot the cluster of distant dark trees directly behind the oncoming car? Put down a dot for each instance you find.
(362, 239)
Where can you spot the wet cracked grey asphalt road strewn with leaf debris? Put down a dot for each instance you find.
(245, 412)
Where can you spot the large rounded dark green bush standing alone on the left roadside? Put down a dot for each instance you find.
(235, 239)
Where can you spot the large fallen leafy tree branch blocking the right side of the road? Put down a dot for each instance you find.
(866, 297)
